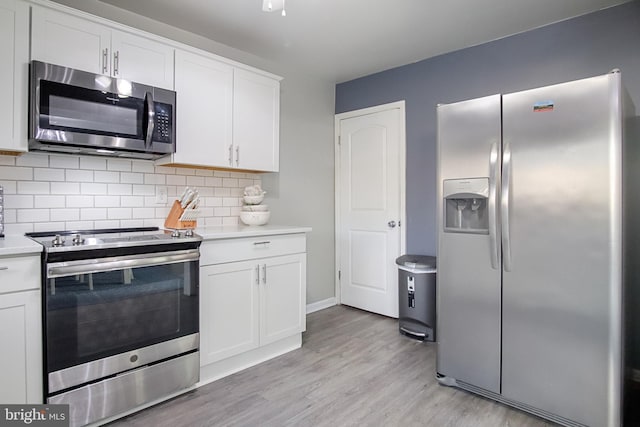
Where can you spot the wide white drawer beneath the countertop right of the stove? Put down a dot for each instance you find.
(229, 250)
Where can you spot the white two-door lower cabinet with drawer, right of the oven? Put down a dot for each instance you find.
(248, 304)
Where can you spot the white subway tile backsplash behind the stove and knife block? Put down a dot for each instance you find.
(46, 192)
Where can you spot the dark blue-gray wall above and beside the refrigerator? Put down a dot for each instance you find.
(581, 47)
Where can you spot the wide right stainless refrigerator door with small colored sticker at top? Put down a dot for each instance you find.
(561, 243)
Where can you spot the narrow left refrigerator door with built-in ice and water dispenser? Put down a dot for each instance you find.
(468, 282)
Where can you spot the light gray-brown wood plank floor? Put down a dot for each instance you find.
(354, 369)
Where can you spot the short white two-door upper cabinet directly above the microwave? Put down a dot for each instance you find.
(74, 42)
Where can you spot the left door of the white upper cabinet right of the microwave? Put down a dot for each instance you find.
(204, 107)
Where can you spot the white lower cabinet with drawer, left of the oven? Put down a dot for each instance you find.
(21, 331)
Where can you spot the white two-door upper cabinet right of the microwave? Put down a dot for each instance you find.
(227, 117)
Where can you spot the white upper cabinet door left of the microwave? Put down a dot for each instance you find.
(14, 69)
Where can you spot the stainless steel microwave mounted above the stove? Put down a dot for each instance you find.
(74, 111)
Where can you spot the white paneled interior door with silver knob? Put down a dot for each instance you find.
(370, 206)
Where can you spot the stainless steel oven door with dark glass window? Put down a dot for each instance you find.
(103, 316)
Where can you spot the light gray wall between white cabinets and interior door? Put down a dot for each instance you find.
(302, 192)
